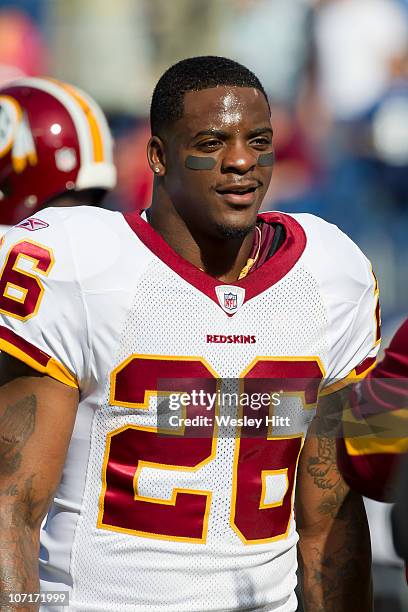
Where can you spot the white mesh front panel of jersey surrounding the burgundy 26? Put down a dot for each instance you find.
(117, 571)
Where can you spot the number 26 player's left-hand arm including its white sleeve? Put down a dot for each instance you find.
(42, 364)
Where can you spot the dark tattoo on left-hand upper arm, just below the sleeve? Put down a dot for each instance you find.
(16, 426)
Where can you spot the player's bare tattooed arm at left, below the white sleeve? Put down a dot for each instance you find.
(37, 415)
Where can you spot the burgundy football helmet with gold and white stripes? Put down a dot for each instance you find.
(54, 141)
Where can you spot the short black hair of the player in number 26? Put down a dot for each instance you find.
(195, 74)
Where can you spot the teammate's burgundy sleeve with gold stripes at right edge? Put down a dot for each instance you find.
(375, 424)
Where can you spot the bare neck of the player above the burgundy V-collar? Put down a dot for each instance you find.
(222, 258)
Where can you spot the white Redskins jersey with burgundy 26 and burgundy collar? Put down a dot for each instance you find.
(172, 497)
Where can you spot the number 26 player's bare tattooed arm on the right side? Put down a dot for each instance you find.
(334, 545)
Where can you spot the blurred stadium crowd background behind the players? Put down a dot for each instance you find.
(336, 72)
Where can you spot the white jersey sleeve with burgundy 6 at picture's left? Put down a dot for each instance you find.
(42, 315)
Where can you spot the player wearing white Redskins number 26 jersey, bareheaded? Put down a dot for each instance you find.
(124, 338)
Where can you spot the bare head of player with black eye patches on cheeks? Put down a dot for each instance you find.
(211, 146)
